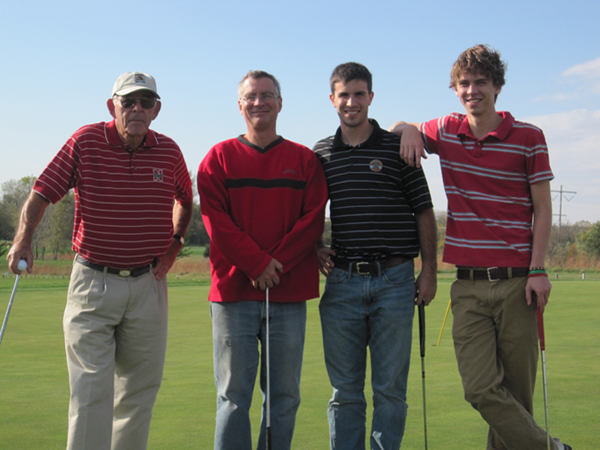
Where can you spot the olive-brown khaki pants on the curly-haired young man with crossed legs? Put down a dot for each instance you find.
(496, 345)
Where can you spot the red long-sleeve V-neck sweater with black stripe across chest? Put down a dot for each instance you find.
(258, 204)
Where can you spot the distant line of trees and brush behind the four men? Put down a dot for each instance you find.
(570, 246)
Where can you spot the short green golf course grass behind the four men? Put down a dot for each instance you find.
(34, 387)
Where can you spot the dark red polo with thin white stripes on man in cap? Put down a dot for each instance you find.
(123, 199)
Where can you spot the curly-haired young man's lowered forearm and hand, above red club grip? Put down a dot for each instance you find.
(542, 224)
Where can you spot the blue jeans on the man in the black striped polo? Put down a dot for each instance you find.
(360, 311)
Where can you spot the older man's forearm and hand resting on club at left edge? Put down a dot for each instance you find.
(31, 215)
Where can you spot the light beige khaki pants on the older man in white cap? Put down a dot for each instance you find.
(115, 337)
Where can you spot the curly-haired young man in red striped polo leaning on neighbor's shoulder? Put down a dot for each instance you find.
(497, 176)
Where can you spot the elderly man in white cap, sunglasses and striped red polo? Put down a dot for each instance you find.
(128, 231)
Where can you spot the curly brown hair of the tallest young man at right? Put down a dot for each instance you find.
(480, 59)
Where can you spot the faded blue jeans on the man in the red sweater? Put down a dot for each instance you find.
(237, 328)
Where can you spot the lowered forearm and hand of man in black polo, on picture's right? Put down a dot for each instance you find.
(426, 284)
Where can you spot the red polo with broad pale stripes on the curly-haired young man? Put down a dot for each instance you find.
(487, 182)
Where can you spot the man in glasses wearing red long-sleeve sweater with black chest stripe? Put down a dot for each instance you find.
(263, 201)
